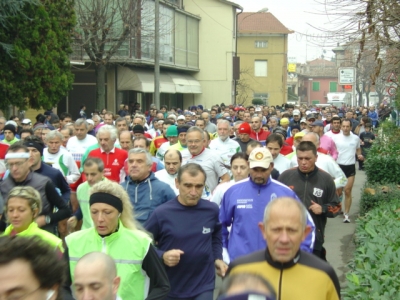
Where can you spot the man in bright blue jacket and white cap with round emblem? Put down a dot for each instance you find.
(243, 205)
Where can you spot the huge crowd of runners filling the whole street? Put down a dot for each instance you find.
(153, 204)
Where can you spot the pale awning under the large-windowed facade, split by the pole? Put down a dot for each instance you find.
(142, 80)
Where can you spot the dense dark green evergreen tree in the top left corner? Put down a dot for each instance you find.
(37, 73)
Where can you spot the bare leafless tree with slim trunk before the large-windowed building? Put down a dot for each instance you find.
(103, 26)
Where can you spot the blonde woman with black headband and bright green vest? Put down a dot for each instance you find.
(117, 234)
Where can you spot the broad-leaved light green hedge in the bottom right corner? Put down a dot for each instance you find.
(374, 270)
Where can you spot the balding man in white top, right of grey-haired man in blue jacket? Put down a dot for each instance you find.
(172, 162)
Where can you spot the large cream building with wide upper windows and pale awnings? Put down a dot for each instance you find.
(197, 43)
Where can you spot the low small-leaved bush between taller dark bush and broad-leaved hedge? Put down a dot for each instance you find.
(382, 195)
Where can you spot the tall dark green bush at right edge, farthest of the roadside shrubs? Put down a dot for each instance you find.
(383, 161)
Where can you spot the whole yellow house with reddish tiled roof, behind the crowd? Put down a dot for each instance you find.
(262, 48)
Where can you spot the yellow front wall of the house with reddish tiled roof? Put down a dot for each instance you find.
(276, 54)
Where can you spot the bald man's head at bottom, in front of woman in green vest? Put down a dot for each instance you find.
(96, 277)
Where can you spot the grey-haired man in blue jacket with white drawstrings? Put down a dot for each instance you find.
(145, 191)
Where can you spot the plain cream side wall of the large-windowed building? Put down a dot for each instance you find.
(216, 49)
